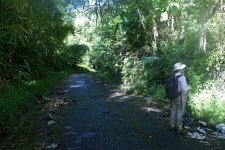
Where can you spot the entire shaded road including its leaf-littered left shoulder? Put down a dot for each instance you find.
(84, 113)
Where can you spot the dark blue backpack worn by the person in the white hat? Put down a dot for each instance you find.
(172, 88)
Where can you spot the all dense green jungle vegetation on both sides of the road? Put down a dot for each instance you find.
(133, 42)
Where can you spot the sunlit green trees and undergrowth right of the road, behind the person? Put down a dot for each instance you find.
(141, 49)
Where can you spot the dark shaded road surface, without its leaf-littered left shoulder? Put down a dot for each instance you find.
(103, 118)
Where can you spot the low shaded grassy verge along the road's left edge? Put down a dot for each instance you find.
(18, 100)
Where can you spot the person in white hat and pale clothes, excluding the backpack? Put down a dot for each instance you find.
(178, 105)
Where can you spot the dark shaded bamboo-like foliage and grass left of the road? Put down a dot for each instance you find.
(33, 53)
